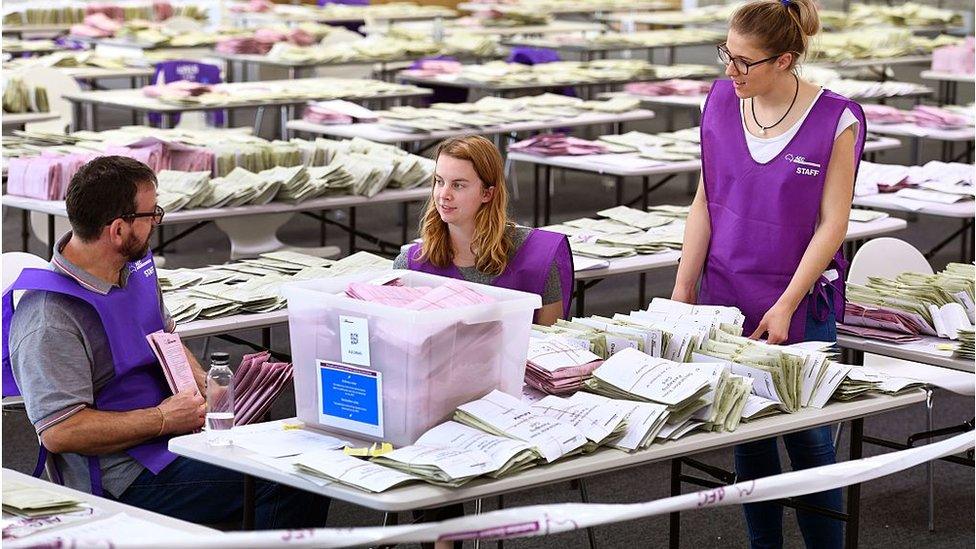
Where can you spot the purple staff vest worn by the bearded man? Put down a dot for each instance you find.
(128, 315)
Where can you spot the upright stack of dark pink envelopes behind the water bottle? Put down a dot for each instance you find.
(257, 384)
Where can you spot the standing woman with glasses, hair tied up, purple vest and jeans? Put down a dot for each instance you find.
(779, 159)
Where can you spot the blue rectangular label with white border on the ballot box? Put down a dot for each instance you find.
(350, 398)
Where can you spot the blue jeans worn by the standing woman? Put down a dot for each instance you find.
(806, 449)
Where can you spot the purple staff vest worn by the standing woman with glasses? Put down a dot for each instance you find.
(763, 216)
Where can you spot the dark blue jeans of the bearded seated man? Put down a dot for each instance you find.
(199, 492)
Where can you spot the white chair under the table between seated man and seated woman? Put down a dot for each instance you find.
(257, 234)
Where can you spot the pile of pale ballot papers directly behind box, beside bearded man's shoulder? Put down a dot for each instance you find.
(251, 285)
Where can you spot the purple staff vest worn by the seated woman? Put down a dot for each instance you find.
(527, 271)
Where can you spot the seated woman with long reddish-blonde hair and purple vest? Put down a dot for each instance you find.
(466, 232)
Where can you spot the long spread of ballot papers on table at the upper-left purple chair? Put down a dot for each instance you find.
(218, 95)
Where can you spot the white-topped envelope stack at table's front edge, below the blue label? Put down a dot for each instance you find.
(336, 466)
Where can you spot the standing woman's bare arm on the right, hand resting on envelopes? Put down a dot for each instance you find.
(835, 209)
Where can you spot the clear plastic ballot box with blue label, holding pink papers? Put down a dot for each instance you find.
(376, 372)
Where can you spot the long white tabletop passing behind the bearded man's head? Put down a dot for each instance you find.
(389, 196)
